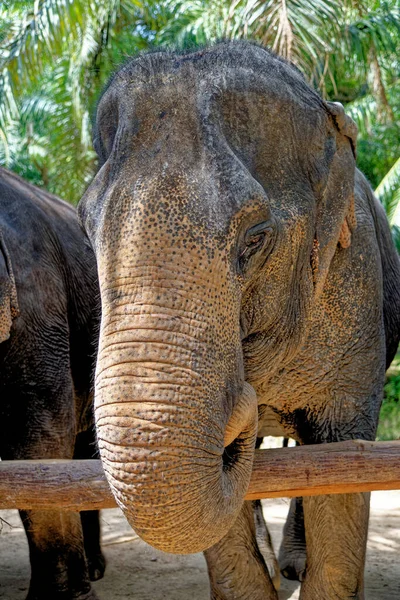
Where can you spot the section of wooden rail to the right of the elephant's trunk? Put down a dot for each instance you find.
(337, 468)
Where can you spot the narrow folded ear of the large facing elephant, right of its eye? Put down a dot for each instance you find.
(336, 219)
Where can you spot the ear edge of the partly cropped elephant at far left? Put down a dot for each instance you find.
(8, 293)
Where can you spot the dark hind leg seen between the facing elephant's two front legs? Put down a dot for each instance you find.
(292, 553)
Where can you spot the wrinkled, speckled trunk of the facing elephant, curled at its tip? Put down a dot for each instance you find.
(170, 395)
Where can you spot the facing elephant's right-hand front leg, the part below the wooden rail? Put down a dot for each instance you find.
(336, 535)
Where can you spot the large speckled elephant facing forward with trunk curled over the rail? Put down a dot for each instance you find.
(246, 273)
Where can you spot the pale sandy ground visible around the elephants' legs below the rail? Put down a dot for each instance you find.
(135, 571)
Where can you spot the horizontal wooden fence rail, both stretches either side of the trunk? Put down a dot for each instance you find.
(337, 468)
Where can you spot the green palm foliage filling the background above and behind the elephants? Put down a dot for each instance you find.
(56, 55)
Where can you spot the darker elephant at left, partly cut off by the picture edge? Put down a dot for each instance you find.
(49, 312)
